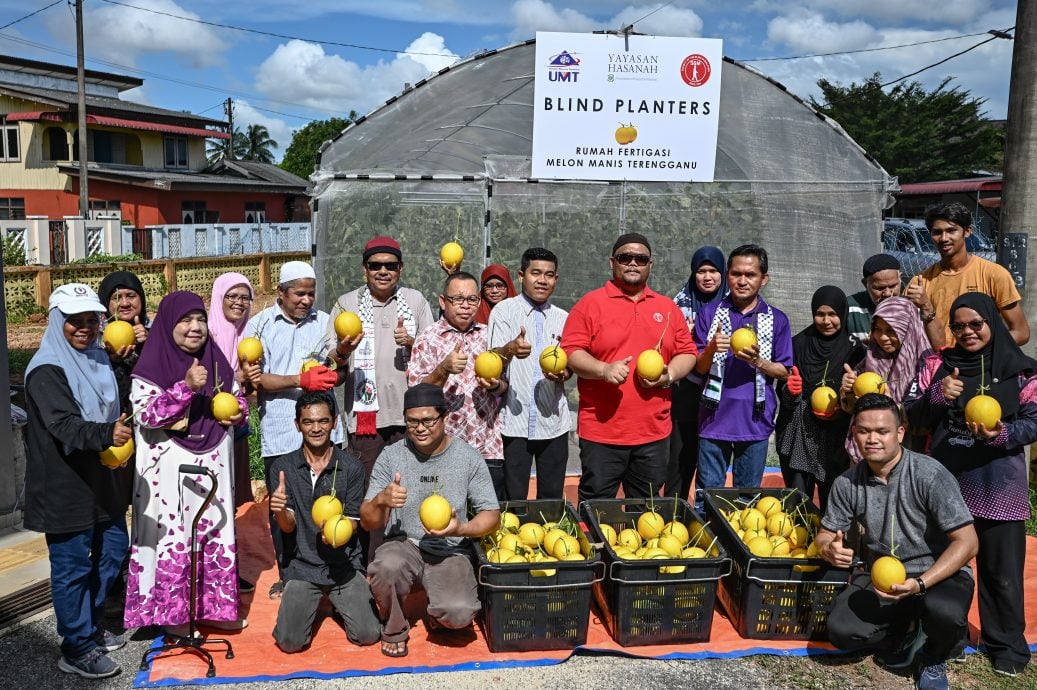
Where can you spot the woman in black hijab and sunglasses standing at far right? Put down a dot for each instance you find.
(989, 463)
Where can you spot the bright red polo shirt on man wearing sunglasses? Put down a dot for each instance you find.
(609, 326)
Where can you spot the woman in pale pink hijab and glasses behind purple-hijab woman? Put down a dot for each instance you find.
(230, 311)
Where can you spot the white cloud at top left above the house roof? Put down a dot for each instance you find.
(123, 35)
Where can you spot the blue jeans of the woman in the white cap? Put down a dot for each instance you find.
(83, 567)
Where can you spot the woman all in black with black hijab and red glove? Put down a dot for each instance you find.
(811, 445)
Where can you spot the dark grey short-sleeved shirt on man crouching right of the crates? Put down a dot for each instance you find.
(920, 503)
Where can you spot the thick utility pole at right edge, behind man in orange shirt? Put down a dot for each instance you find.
(1019, 205)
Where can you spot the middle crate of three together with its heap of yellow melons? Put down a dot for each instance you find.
(663, 566)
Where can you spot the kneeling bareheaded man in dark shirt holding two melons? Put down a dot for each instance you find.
(316, 569)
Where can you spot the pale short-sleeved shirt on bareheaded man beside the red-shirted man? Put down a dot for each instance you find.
(535, 408)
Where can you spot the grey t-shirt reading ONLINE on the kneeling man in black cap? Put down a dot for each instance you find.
(459, 475)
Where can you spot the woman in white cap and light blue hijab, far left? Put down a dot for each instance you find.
(71, 496)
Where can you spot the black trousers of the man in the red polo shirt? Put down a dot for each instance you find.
(641, 470)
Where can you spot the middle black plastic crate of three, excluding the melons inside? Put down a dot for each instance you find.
(642, 604)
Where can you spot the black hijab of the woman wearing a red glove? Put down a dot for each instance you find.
(812, 352)
